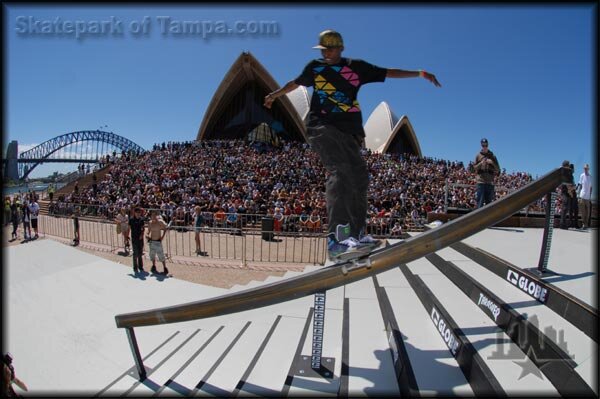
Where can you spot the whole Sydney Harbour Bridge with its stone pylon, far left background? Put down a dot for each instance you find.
(86, 146)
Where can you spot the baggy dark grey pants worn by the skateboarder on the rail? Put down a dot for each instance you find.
(346, 187)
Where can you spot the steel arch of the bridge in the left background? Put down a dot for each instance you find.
(29, 160)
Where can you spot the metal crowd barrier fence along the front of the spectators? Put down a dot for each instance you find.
(234, 244)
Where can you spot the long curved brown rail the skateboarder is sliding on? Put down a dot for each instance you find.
(338, 275)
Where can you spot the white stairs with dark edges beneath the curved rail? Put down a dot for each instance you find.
(264, 352)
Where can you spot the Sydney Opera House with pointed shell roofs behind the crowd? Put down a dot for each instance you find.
(236, 111)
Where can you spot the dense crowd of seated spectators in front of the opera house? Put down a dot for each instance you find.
(235, 184)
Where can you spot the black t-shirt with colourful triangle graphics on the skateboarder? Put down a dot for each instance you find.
(334, 98)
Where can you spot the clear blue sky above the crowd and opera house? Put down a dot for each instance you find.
(521, 76)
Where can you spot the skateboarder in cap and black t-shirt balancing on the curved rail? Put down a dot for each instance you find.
(335, 132)
